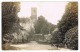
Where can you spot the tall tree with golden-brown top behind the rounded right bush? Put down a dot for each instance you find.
(69, 18)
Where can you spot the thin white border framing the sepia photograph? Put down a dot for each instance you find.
(34, 47)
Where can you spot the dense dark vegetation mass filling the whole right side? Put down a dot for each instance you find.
(67, 24)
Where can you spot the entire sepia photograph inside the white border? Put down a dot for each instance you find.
(39, 25)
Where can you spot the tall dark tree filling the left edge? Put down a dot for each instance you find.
(10, 20)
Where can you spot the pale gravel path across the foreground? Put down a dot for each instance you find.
(33, 45)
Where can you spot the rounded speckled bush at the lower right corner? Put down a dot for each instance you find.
(71, 38)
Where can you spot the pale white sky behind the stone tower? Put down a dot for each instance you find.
(52, 11)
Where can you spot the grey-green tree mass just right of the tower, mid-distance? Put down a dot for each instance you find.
(43, 27)
